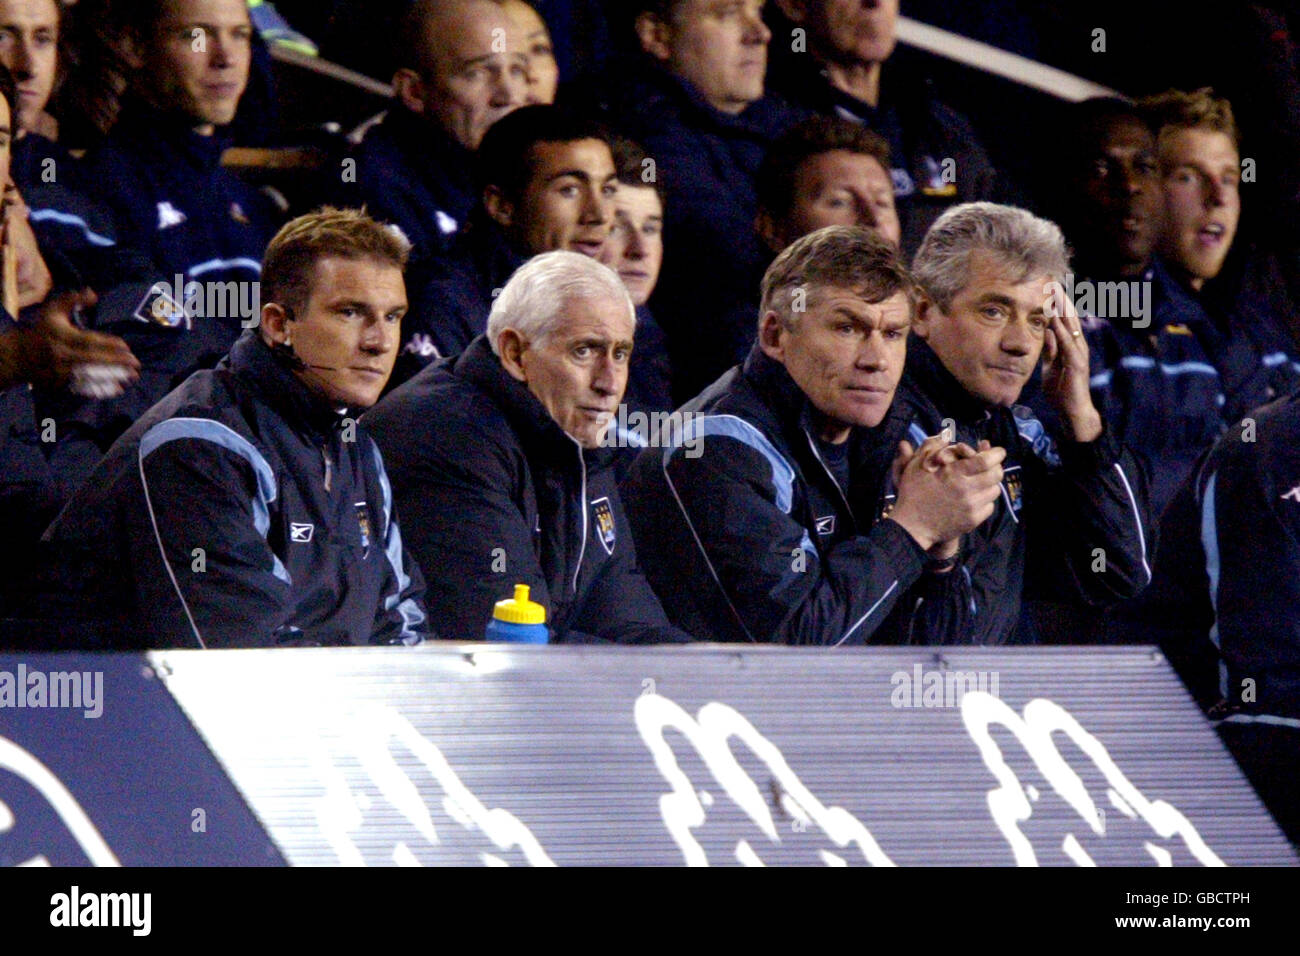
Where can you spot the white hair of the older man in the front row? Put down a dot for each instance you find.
(535, 299)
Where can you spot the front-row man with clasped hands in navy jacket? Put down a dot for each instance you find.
(779, 511)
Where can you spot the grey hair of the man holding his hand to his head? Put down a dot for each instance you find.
(1030, 246)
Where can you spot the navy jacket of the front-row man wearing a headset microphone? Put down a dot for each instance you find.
(241, 512)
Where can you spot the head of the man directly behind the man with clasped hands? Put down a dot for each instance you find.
(826, 172)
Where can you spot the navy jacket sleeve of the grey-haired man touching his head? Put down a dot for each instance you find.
(1089, 530)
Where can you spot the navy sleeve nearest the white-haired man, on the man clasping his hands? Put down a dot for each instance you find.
(775, 581)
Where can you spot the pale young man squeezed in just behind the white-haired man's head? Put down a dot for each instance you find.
(635, 250)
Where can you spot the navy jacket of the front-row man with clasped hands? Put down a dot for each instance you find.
(749, 538)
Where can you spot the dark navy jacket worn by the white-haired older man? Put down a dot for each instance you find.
(493, 494)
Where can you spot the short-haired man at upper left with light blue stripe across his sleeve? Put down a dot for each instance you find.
(161, 174)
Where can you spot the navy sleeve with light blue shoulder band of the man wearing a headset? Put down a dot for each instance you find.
(207, 499)
